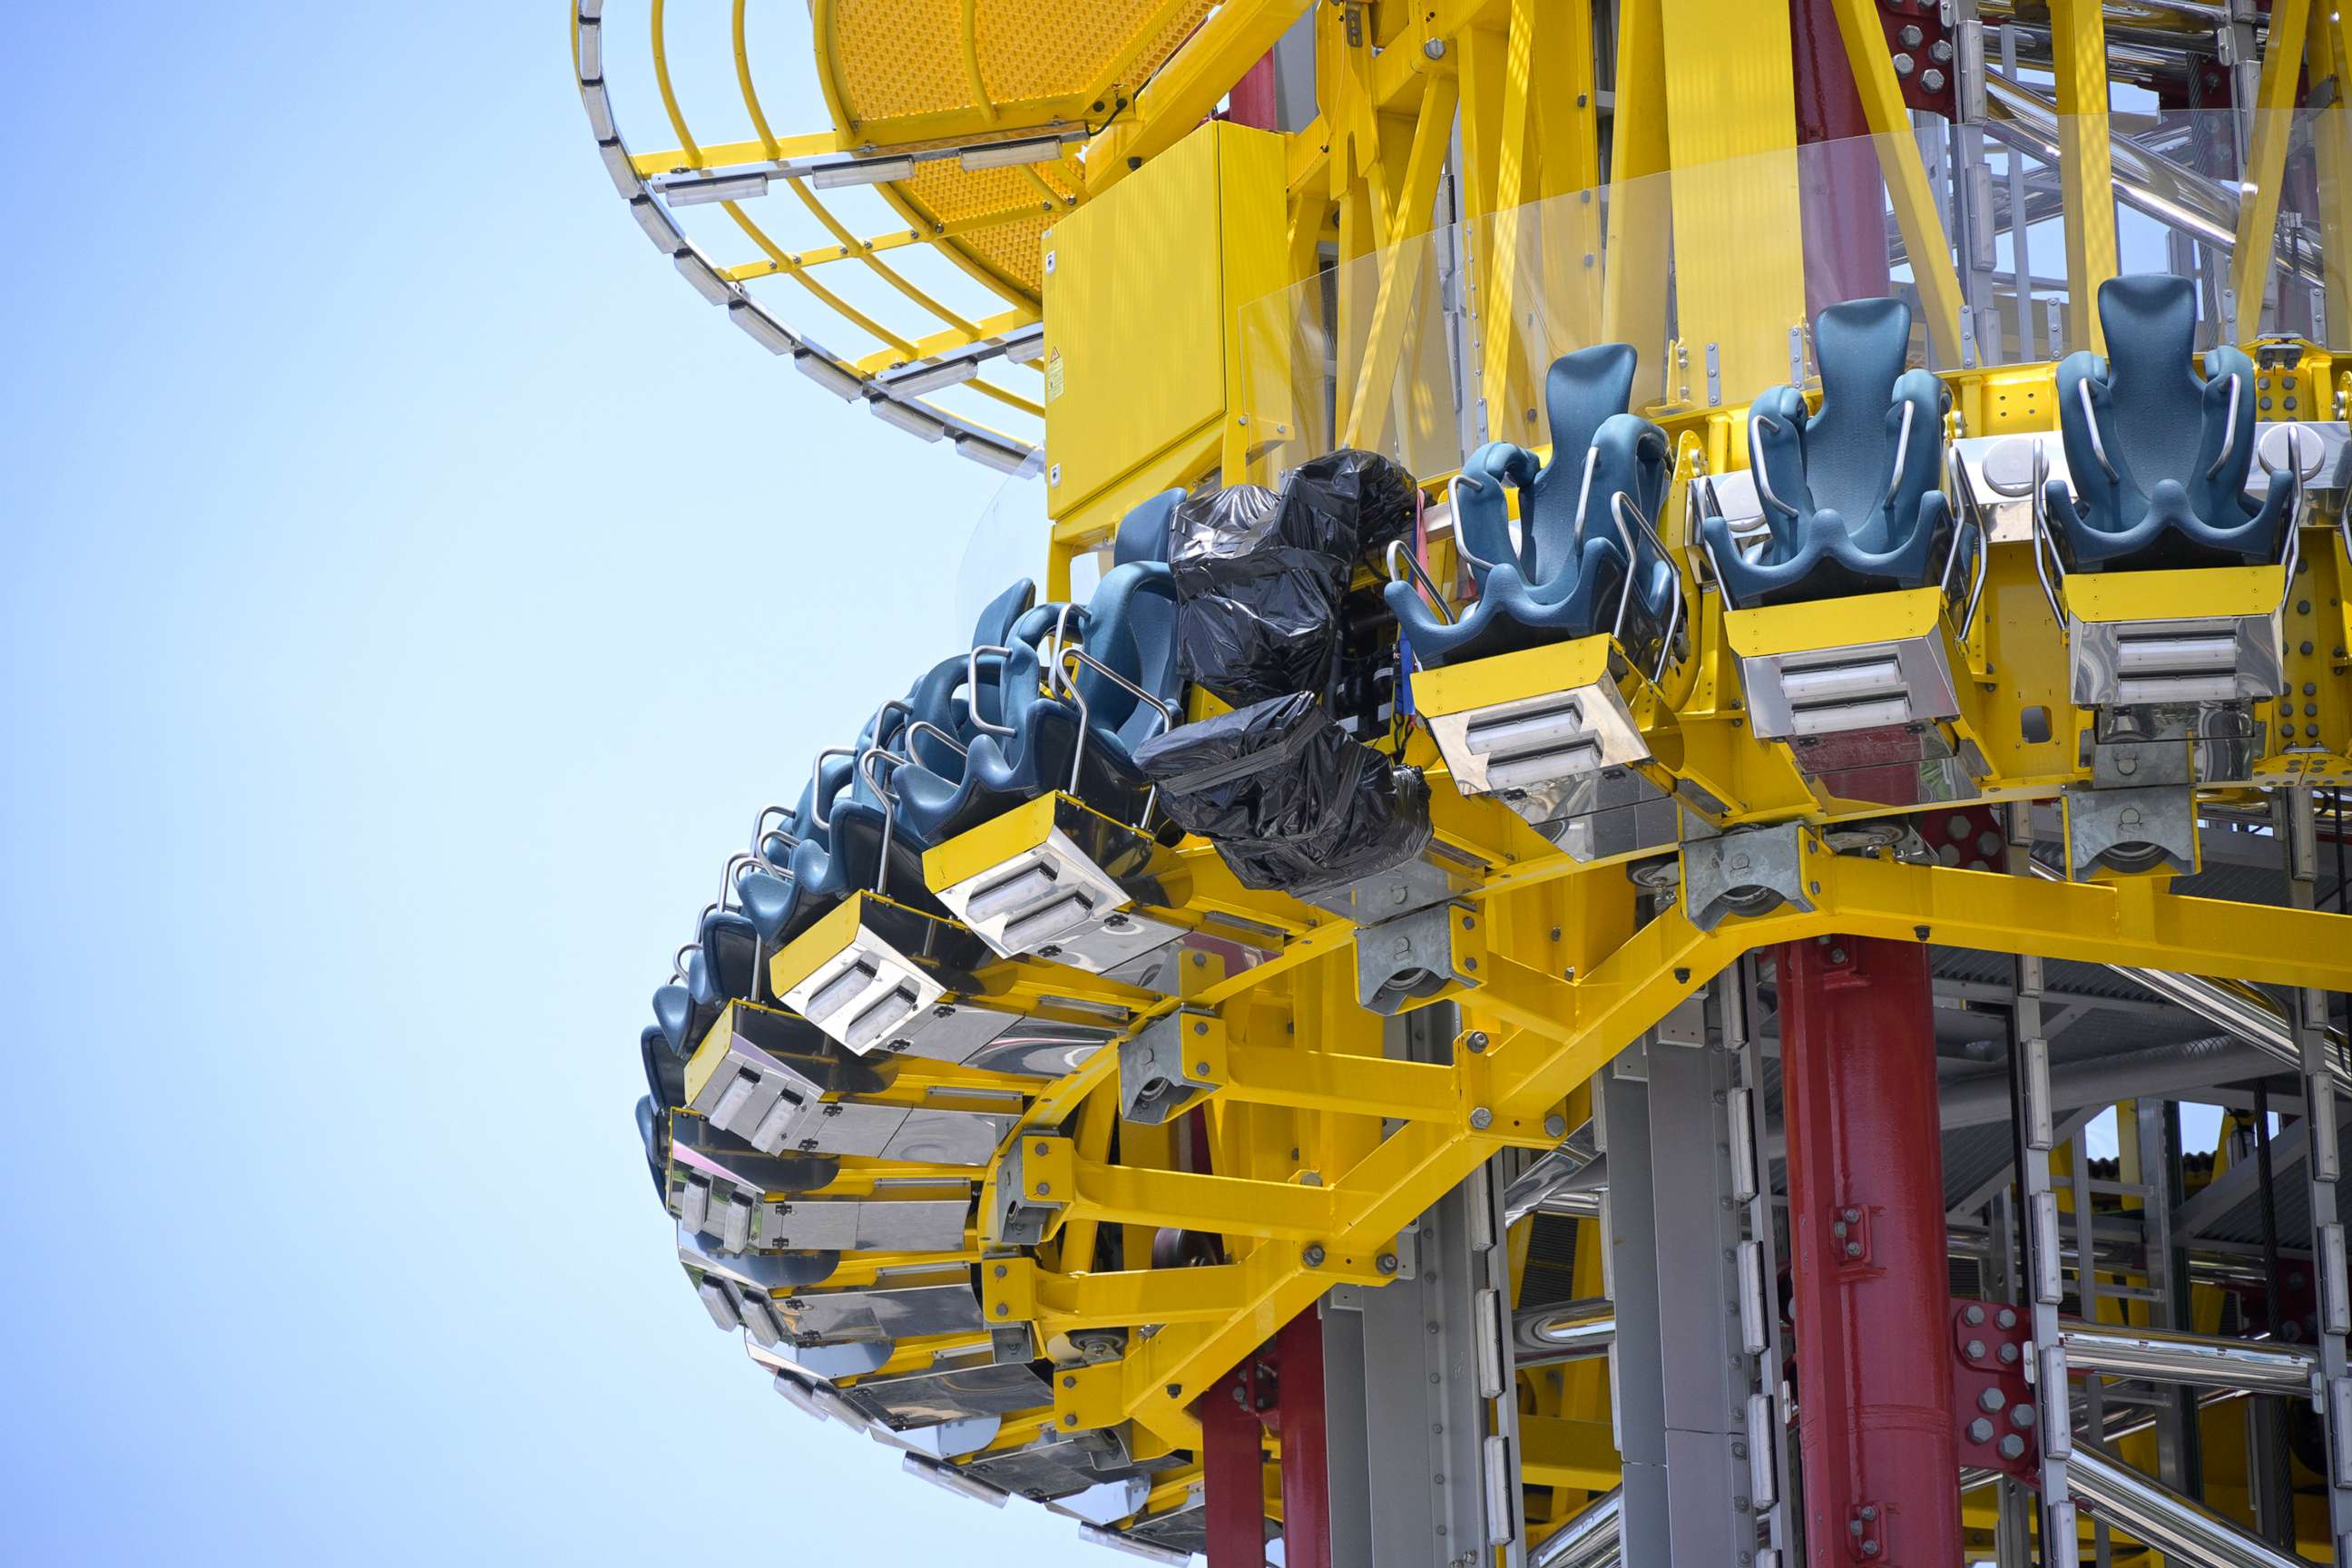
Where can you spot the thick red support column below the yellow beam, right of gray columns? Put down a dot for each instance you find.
(1869, 1254)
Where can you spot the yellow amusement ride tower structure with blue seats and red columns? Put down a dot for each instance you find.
(1648, 862)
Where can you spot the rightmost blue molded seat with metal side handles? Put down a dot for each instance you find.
(2158, 453)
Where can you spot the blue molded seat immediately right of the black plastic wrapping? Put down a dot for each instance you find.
(1568, 575)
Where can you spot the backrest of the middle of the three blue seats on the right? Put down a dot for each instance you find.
(1847, 443)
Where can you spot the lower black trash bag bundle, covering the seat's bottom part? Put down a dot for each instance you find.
(1290, 800)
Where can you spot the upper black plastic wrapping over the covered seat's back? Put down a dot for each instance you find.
(1262, 575)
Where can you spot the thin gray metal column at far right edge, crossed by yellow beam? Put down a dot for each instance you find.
(2323, 1165)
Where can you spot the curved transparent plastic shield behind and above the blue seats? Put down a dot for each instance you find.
(1716, 274)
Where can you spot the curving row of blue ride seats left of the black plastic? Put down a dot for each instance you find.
(977, 735)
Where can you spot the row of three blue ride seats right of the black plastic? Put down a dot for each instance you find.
(1852, 490)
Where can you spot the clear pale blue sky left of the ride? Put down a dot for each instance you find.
(413, 589)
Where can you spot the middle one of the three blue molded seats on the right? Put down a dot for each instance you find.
(1850, 492)
